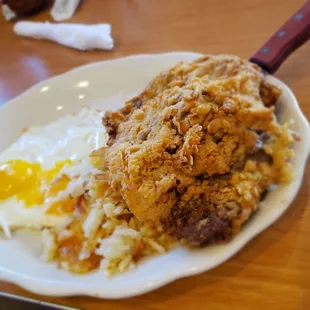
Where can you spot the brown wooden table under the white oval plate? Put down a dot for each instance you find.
(273, 270)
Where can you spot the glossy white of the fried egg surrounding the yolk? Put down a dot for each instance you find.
(72, 137)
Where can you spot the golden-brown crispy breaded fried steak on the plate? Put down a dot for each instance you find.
(194, 124)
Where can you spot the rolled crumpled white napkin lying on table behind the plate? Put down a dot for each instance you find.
(78, 36)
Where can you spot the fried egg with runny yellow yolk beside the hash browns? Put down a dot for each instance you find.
(43, 173)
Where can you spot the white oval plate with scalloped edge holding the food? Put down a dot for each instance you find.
(94, 83)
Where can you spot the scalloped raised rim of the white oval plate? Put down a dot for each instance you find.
(49, 287)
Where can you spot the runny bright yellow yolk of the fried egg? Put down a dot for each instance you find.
(31, 184)
